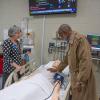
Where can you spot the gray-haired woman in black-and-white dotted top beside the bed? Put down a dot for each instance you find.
(11, 52)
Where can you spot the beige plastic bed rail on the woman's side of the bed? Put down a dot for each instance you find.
(25, 70)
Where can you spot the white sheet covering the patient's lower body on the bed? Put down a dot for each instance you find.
(35, 88)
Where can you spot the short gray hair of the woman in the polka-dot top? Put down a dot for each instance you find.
(12, 30)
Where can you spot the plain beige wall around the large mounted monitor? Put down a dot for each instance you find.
(86, 21)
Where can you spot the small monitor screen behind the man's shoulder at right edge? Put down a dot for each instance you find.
(94, 40)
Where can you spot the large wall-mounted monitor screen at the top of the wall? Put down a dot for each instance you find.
(43, 7)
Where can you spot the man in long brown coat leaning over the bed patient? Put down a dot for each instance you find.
(78, 57)
